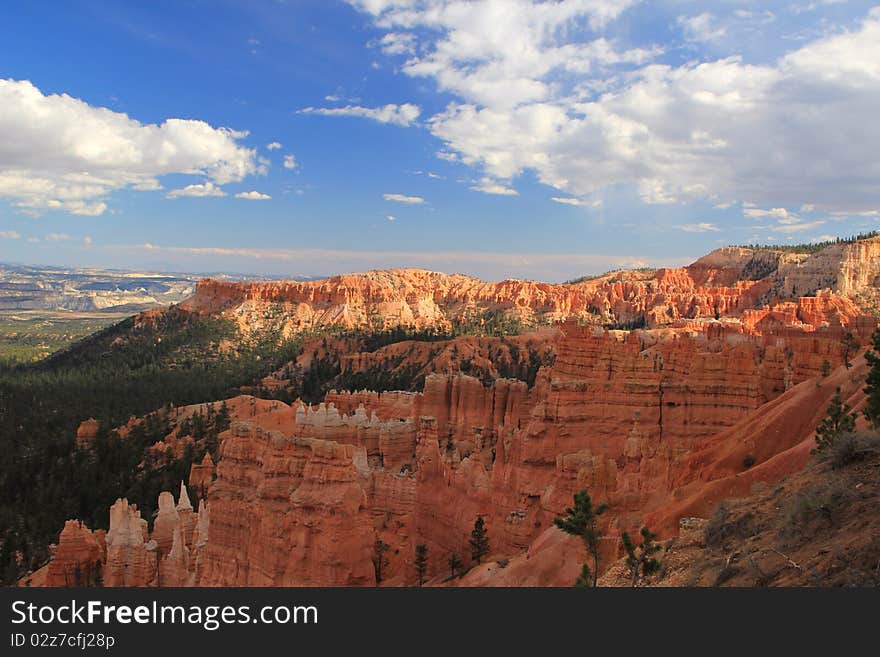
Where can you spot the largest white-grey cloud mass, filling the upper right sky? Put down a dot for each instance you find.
(534, 94)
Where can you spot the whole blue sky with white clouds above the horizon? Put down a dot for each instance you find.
(503, 138)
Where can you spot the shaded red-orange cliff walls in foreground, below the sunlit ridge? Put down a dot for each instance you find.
(639, 418)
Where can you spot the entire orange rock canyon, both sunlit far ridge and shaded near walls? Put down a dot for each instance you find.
(662, 393)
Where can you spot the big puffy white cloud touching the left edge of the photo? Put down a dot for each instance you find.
(60, 153)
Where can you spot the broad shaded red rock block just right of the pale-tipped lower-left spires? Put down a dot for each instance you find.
(288, 511)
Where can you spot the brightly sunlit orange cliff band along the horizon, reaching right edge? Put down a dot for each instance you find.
(727, 283)
